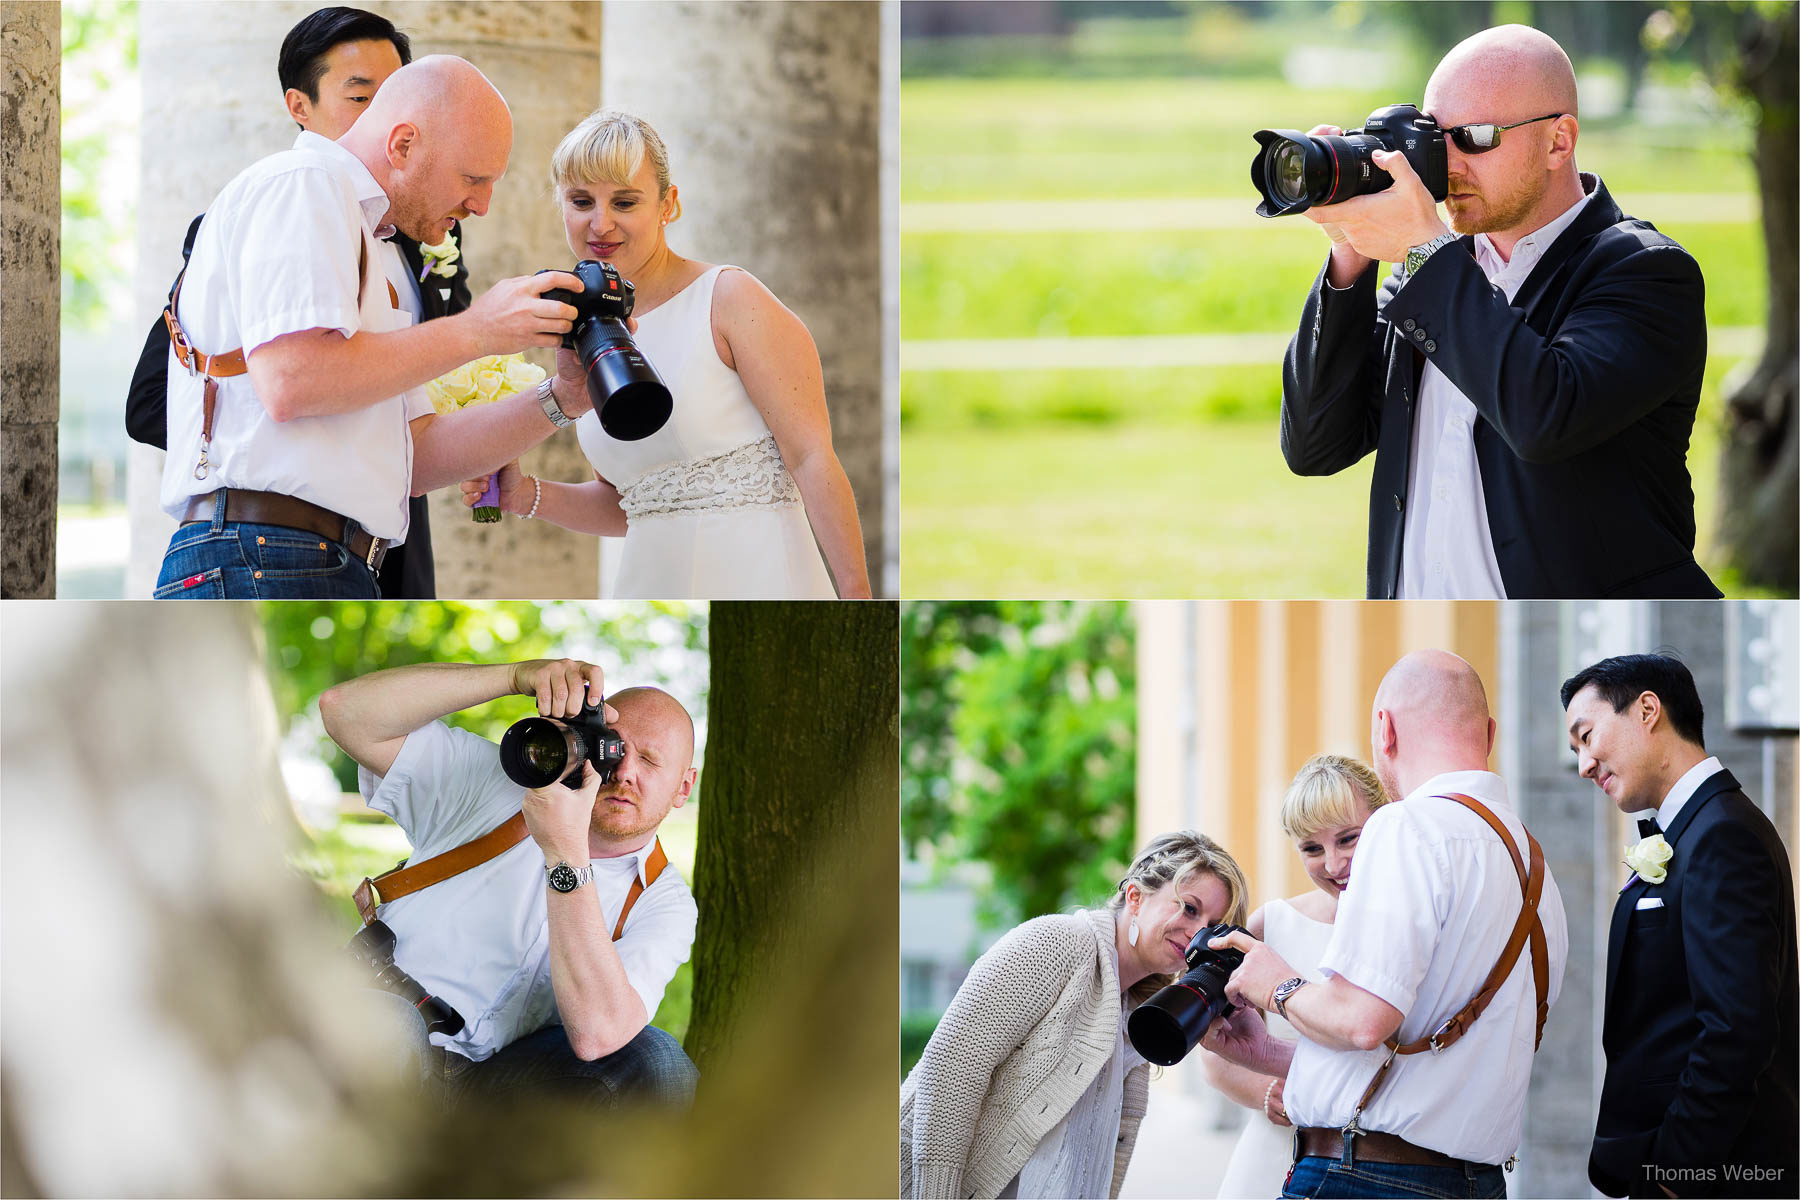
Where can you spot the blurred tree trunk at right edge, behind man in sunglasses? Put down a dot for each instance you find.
(1759, 472)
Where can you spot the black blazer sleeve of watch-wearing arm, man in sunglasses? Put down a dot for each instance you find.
(1633, 334)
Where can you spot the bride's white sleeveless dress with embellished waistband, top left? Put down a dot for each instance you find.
(712, 512)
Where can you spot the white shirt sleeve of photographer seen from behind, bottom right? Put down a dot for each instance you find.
(1389, 920)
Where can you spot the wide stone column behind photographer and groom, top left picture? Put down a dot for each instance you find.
(213, 105)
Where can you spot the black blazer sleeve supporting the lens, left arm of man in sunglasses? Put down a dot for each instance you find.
(1331, 381)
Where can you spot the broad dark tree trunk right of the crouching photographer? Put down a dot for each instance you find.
(796, 963)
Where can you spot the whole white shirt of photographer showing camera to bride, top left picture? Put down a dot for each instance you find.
(278, 255)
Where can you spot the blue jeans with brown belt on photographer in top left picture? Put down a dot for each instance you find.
(224, 560)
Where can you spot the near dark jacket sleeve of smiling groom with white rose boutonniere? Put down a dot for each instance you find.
(1732, 936)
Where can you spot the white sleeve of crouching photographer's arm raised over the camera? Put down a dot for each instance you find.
(444, 789)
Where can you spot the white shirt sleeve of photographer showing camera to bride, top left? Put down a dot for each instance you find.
(294, 258)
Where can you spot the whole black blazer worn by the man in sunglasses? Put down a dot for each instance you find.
(1585, 391)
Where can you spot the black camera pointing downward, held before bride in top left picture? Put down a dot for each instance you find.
(629, 395)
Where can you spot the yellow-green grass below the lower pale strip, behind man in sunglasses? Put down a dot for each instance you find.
(1155, 510)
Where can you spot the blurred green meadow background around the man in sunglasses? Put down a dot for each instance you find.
(1075, 190)
